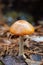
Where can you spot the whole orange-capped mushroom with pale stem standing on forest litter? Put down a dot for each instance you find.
(21, 28)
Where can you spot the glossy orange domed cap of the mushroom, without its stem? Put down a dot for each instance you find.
(21, 27)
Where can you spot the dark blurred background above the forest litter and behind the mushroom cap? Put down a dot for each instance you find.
(30, 10)
